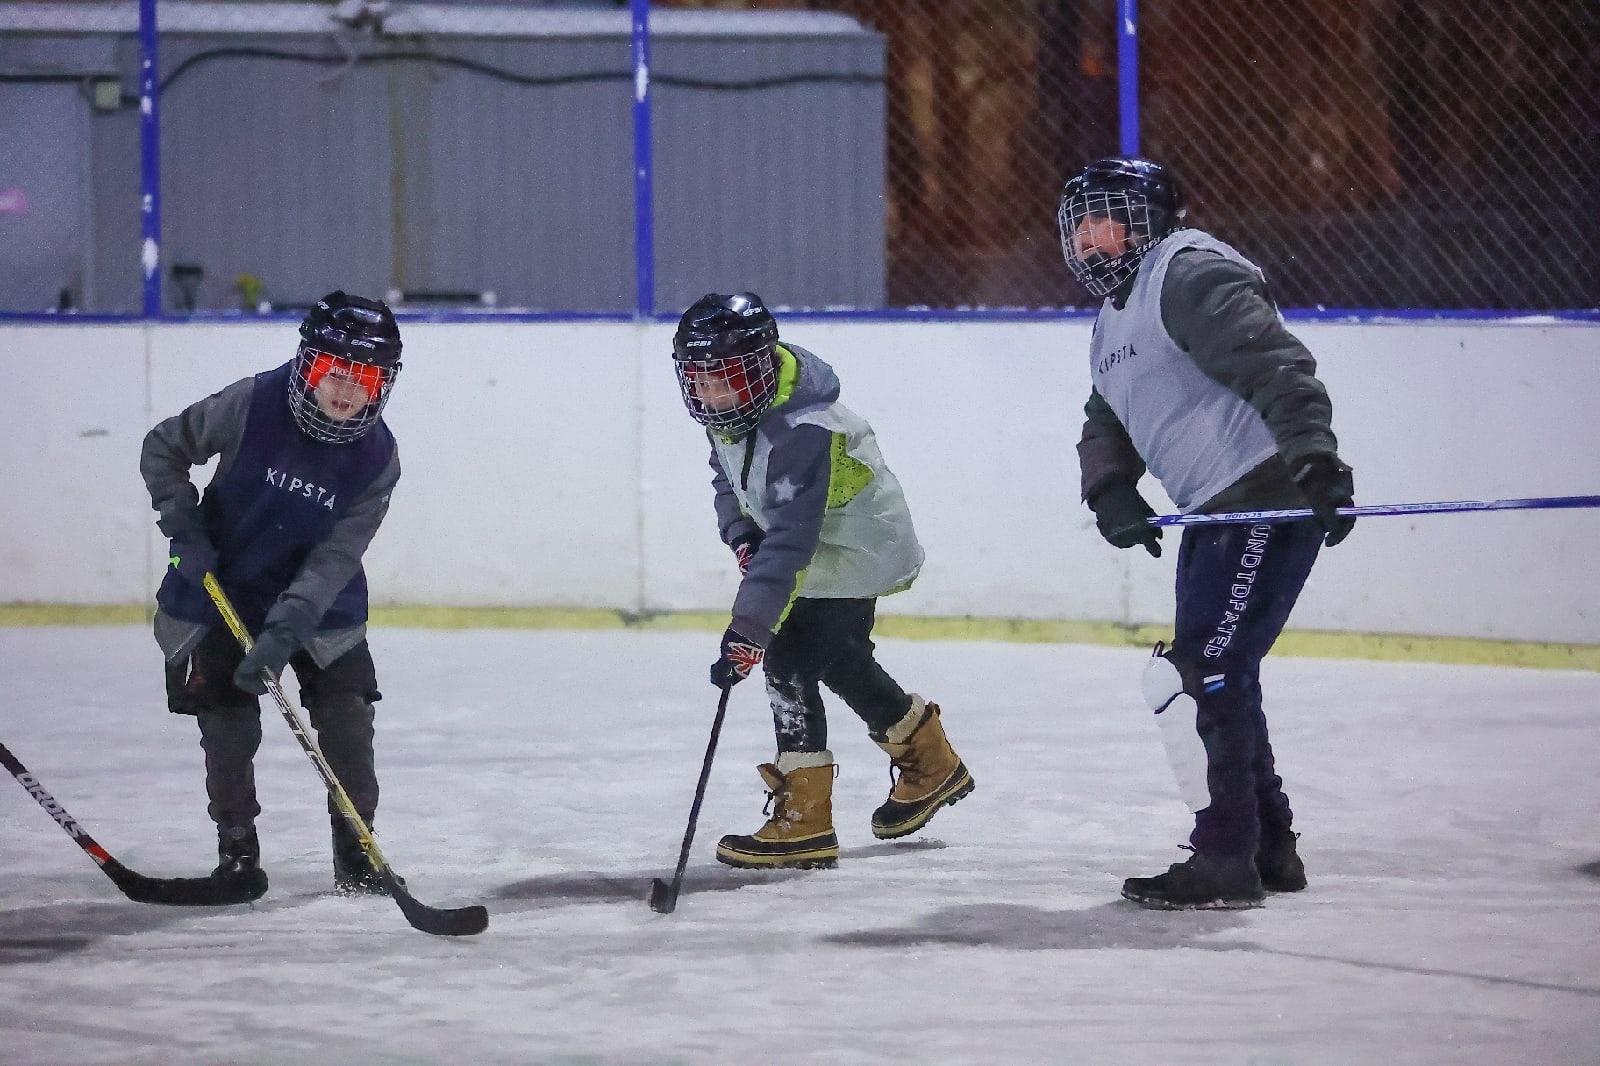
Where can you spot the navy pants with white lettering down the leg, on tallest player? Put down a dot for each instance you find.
(1236, 590)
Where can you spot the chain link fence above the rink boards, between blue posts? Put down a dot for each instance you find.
(1369, 154)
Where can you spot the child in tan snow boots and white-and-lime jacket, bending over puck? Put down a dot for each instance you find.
(820, 531)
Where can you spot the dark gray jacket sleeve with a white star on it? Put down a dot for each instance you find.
(798, 481)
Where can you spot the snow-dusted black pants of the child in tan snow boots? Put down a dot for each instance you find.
(828, 643)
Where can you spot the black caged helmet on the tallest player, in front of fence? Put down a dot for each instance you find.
(1134, 193)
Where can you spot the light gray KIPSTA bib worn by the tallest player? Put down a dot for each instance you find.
(1196, 436)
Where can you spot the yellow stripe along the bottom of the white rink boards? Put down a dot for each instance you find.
(1300, 643)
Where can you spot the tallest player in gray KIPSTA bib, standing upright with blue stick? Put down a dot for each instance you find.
(1196, 377)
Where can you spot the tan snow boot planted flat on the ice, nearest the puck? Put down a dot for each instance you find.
(801, 828)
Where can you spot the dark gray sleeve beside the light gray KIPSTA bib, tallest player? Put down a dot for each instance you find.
(1220, 313)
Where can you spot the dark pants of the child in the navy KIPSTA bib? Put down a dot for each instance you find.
(338, 700)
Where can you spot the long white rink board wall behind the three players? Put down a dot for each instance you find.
(551, 465)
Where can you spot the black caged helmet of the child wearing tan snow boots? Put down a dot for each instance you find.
(726, 353)
